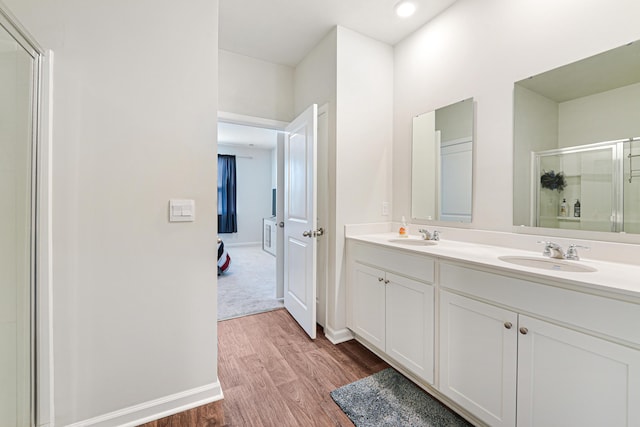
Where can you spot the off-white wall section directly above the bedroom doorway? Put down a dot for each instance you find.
(254, 87)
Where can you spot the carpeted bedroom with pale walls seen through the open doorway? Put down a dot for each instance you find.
(249, 284)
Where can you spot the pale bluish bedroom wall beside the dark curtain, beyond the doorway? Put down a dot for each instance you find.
(253, 192)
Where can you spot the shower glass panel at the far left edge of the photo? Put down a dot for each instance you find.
(16, 228)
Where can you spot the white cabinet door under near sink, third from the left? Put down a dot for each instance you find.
(478, 358)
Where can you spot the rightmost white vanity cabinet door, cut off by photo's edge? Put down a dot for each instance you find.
(567, 378)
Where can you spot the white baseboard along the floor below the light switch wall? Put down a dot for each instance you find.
(157, 408)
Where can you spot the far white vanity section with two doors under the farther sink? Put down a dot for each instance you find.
(391, 305)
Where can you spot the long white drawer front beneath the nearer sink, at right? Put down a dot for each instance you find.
(607, 316)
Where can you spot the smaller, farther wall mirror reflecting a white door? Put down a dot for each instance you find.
(441, 163)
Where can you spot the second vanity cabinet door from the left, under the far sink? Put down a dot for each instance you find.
(410, 324)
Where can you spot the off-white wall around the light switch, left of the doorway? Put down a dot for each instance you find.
(135, 106)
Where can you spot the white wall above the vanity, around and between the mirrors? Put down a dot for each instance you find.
(479, 49)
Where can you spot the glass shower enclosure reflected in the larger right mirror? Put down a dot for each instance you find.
(592, 187)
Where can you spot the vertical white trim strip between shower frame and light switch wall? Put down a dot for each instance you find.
(44, 261)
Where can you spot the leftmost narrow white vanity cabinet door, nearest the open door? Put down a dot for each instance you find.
(368, 304)
